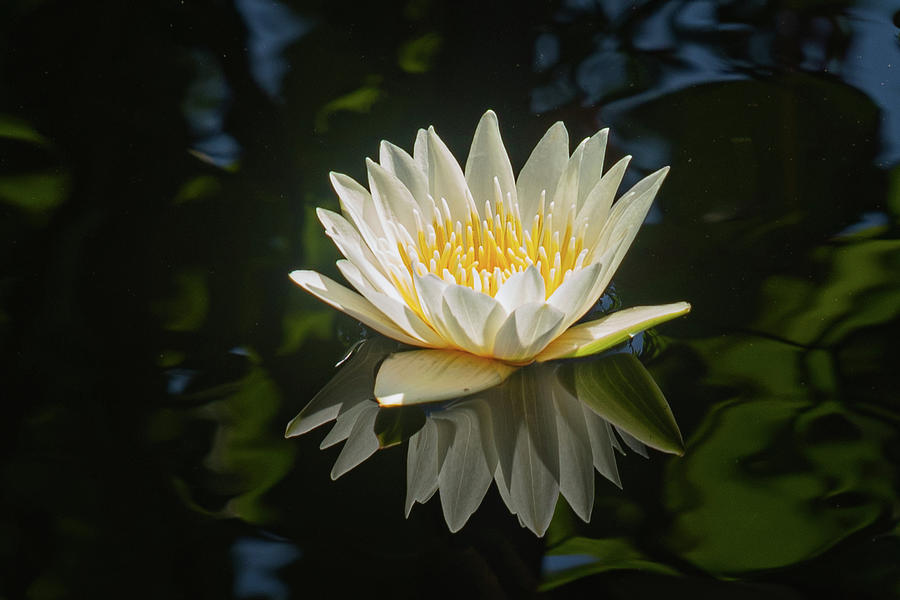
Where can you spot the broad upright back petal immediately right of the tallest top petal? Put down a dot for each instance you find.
(542, 170)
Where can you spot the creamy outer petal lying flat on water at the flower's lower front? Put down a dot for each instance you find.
(420, 376)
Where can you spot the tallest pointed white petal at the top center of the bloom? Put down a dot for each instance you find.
(487, 160)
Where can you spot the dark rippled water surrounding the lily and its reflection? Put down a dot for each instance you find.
(159, 167)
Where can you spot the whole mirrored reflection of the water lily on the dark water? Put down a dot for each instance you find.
(541, 433)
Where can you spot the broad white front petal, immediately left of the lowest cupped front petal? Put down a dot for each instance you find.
(472, 318)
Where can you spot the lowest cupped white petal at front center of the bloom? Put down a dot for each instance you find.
(526, 331)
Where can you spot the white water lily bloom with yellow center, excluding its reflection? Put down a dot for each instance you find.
(492, 269)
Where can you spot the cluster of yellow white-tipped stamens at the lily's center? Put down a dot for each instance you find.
(485, 251)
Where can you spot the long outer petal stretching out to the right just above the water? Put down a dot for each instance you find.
(599, 335)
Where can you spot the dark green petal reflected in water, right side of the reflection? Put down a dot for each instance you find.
(619, 389)
